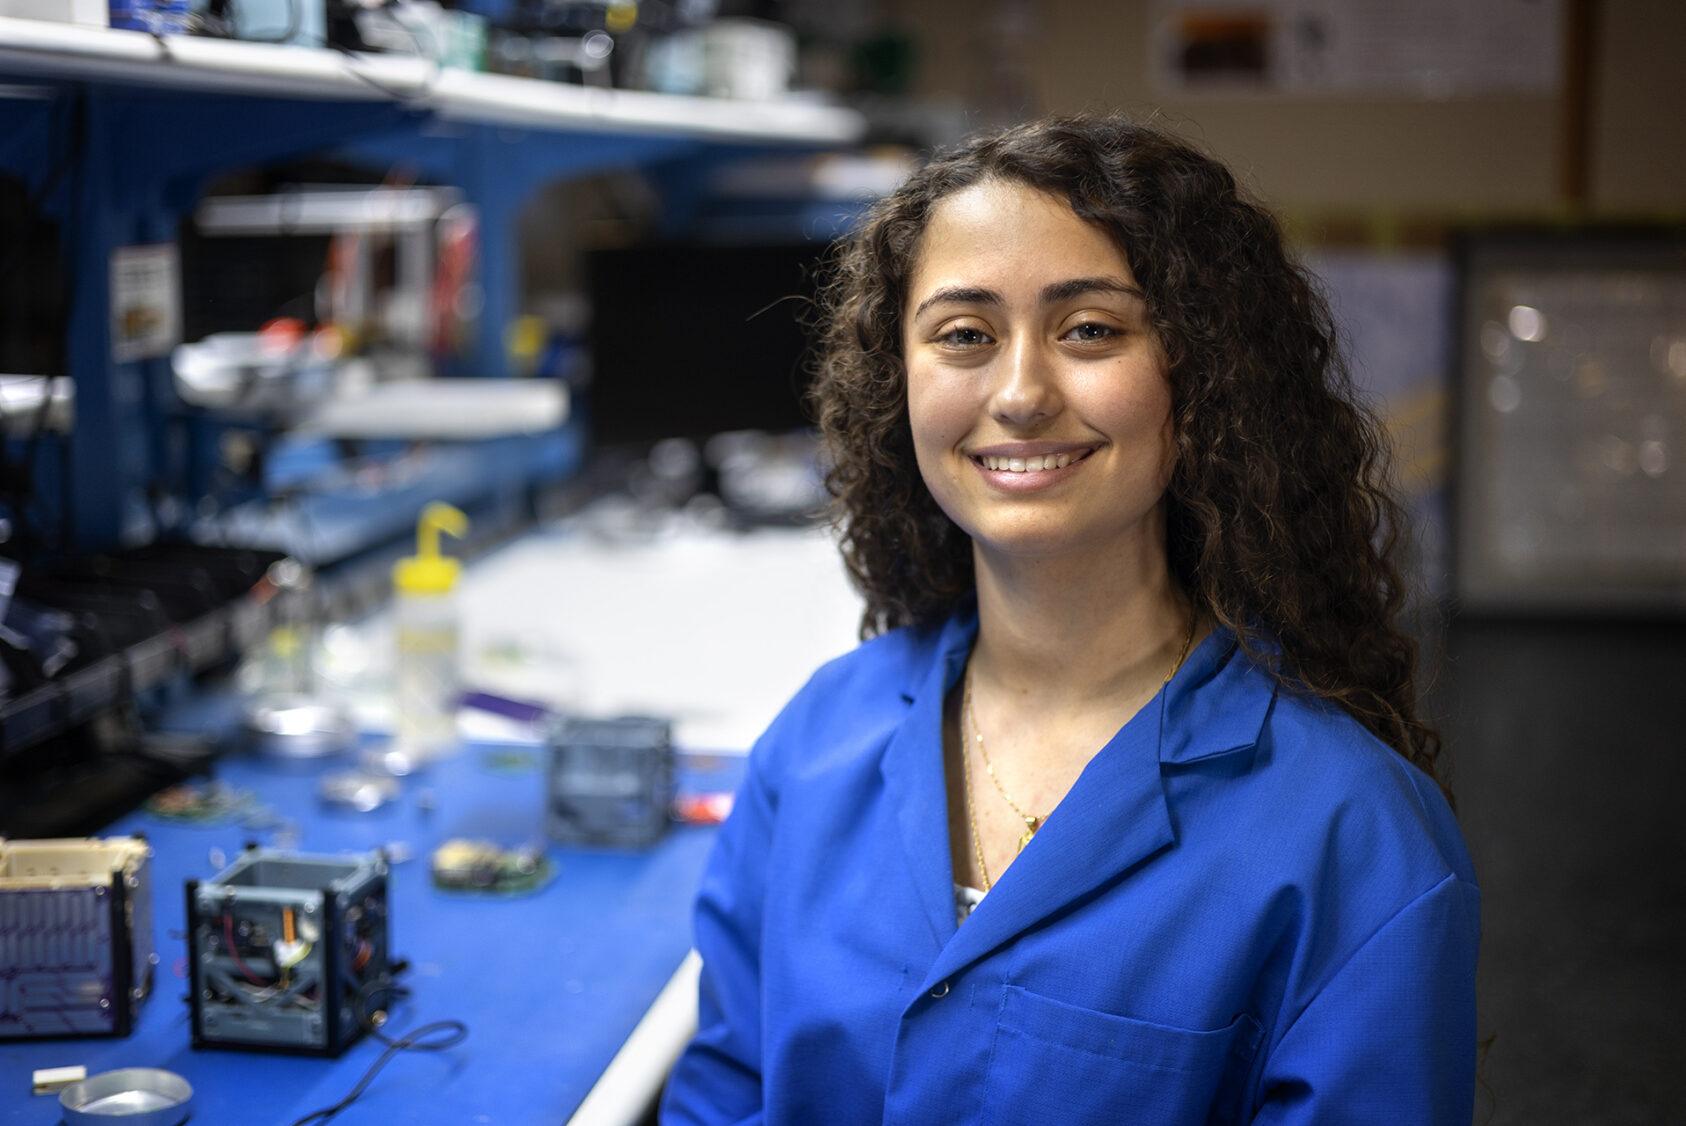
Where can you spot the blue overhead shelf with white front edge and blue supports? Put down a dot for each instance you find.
(154, 121)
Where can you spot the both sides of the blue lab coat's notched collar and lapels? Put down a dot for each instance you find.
(1115, 815)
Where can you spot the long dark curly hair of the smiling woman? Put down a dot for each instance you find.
(1281, 520)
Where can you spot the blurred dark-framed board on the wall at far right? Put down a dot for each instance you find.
(1572, 405)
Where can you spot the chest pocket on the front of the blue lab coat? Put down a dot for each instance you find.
(1058, 1063)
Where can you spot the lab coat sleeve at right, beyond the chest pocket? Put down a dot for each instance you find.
(1390, 1039)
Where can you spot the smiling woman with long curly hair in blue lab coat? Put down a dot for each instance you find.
(1124, 813)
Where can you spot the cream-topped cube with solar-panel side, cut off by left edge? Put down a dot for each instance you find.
(77, 955)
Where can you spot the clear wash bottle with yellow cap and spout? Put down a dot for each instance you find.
(426, 668)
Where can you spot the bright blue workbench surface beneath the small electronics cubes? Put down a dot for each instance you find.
(550, 985)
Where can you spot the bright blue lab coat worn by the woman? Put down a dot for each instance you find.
(1245, 911)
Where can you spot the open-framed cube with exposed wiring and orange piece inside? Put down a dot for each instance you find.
(284, 952)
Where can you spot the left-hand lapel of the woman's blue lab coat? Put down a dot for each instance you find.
(915, 781)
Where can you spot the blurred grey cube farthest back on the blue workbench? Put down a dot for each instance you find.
(611, 781)
